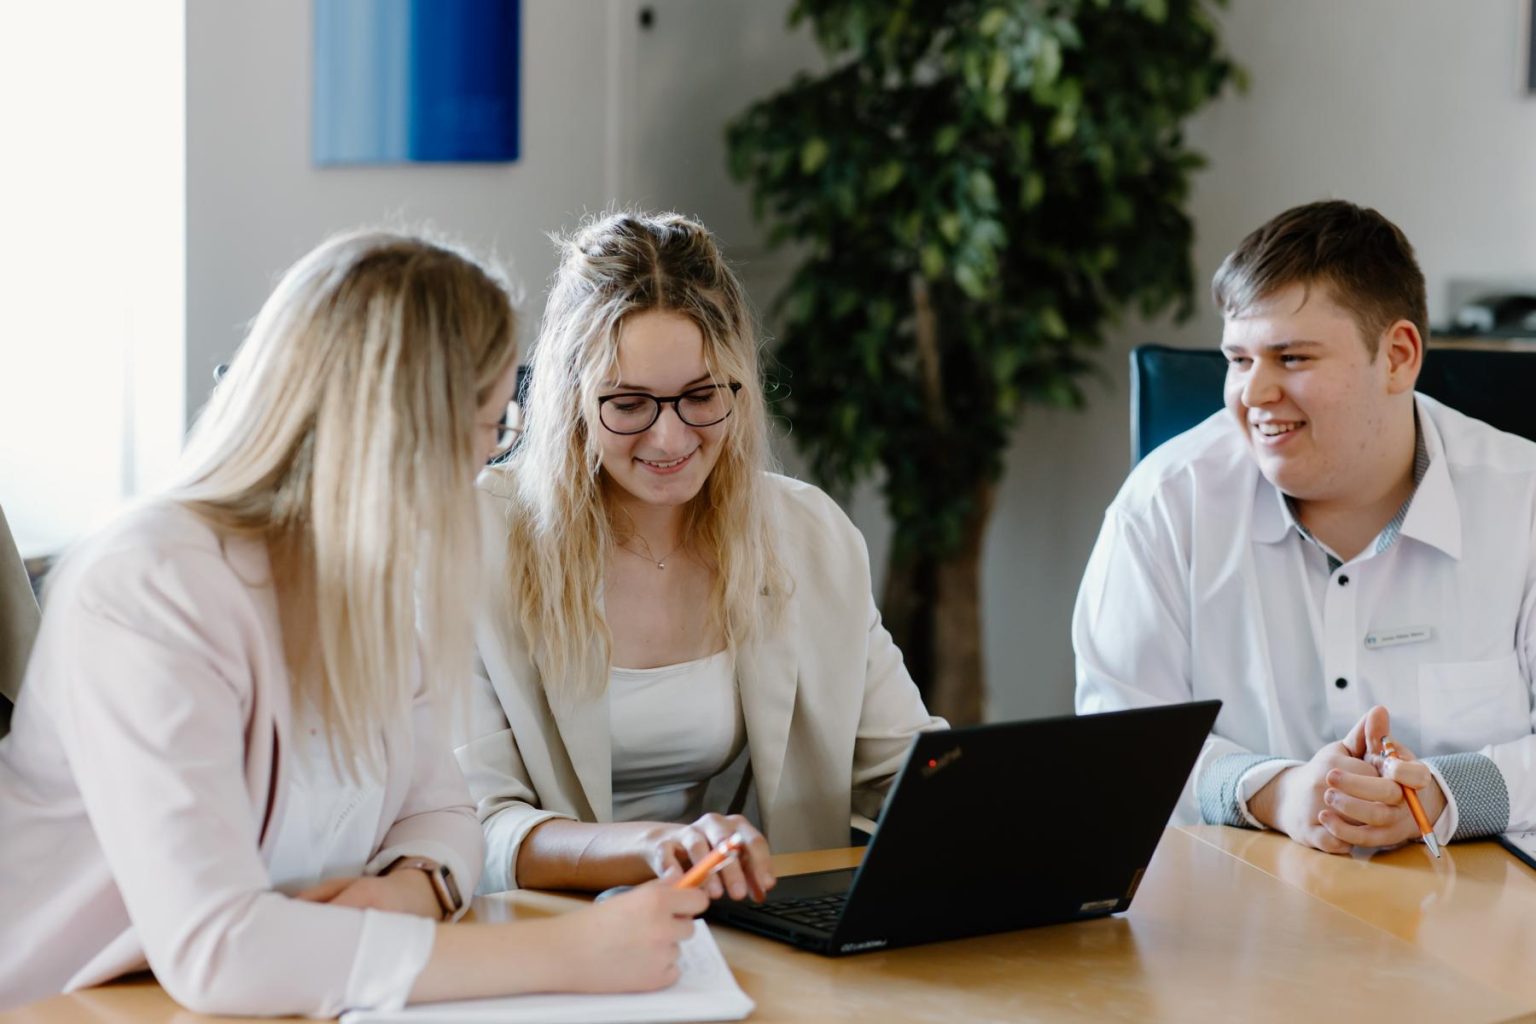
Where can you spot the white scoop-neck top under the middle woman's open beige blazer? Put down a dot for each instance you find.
(674, 730)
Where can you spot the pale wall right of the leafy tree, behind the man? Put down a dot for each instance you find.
(1417, 110)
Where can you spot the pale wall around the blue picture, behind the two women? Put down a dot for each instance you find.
(612, 114)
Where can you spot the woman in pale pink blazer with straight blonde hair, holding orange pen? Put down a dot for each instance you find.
(227, 764)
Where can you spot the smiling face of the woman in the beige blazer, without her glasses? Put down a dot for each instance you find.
(661, 354)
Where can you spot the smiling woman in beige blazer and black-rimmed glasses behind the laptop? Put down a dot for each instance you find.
(677, 644)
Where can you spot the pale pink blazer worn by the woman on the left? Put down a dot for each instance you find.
(145, 778)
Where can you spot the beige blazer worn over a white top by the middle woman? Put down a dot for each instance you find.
(829, 705)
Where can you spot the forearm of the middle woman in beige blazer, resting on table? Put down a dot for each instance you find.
(563, 854)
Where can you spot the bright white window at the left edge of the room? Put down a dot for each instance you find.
(93, 187)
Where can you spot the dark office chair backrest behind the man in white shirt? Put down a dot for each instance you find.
(1174, 389)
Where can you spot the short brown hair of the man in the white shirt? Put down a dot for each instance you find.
(1365, 259)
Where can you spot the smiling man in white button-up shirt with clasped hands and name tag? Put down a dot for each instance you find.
(1334, 557)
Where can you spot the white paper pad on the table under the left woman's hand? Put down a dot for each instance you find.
(706, 993)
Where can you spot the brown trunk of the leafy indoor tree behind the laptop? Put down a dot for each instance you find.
(933, 609)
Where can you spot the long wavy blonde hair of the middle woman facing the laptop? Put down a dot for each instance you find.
(560, 529)
